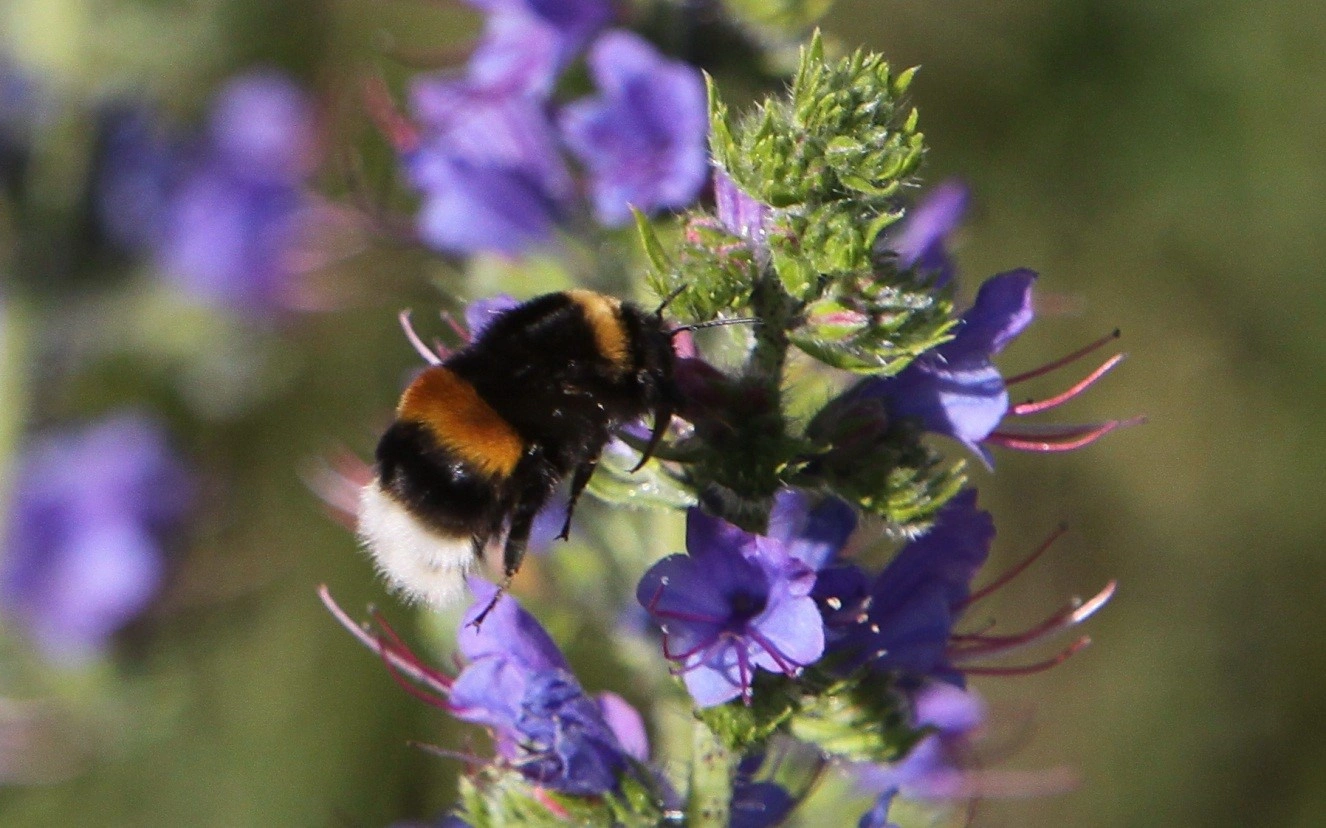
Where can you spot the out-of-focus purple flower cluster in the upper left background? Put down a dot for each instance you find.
(225, 213)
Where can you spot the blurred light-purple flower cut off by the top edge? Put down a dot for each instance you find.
(528, 43)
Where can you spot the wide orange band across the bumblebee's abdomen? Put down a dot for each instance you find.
(462, 421)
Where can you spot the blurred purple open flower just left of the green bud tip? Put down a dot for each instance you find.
(644, 137)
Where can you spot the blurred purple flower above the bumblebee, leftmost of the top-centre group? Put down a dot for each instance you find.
(489, 167)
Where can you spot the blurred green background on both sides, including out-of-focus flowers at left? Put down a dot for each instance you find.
(1161, 164)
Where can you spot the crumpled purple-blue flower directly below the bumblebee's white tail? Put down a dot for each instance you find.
(519, 685)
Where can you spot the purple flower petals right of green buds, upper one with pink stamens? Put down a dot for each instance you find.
(955, 389)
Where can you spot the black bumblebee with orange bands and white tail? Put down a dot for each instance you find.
(483, 440)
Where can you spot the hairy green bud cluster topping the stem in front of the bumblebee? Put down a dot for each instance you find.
(824, 169)
